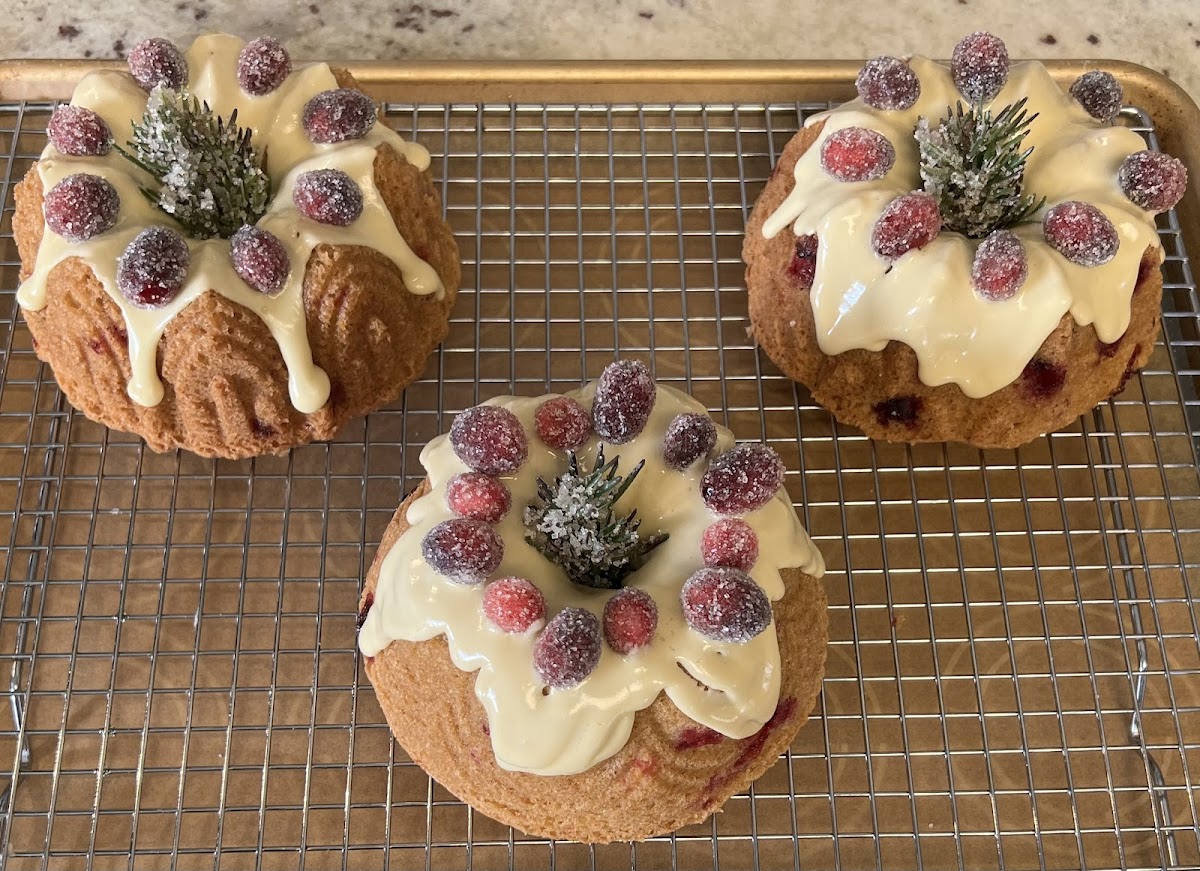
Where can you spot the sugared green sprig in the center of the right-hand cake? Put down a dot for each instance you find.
(974, 165)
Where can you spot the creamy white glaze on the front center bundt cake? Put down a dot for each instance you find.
(569, 731)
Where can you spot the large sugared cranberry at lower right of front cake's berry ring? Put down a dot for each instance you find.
(725, 605)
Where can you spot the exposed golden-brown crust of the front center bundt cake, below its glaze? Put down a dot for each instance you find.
(673, 772)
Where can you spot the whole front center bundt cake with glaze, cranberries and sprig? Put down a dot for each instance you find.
(597, 618)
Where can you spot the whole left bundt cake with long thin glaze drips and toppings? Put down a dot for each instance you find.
(227, 255)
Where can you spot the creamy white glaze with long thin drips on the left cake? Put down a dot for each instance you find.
(279, 136)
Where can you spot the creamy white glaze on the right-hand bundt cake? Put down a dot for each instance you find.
(926, 299)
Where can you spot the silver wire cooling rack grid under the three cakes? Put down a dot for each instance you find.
(1041, 714)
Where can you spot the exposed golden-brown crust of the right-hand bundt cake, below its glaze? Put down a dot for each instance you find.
(1070, 375)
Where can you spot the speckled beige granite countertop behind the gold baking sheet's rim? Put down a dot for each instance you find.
(1163, 35)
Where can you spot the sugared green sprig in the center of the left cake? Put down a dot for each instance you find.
(211, 178)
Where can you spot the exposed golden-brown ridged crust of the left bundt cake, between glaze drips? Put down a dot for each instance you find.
(224, 376)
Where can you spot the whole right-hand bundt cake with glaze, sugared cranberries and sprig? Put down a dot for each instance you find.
(963, 254)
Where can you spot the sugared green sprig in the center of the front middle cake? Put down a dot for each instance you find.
(577, 526)
